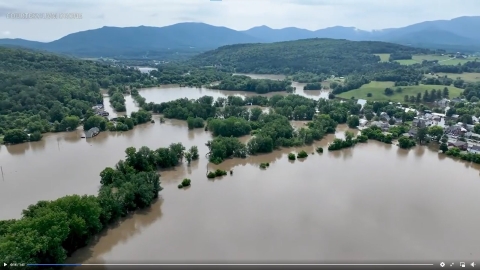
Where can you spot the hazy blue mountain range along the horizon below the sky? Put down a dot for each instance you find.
(192, 38)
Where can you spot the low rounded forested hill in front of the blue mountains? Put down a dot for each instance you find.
(318, 56)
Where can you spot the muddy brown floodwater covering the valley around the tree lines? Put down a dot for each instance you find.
(371, 202)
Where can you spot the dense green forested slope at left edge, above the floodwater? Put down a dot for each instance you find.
(41, 92)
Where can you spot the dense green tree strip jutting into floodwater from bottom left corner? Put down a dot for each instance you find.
(50, 231)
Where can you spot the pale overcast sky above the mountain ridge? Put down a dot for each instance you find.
(235, 14)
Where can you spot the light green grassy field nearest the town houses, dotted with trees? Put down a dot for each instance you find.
(377, 90)
